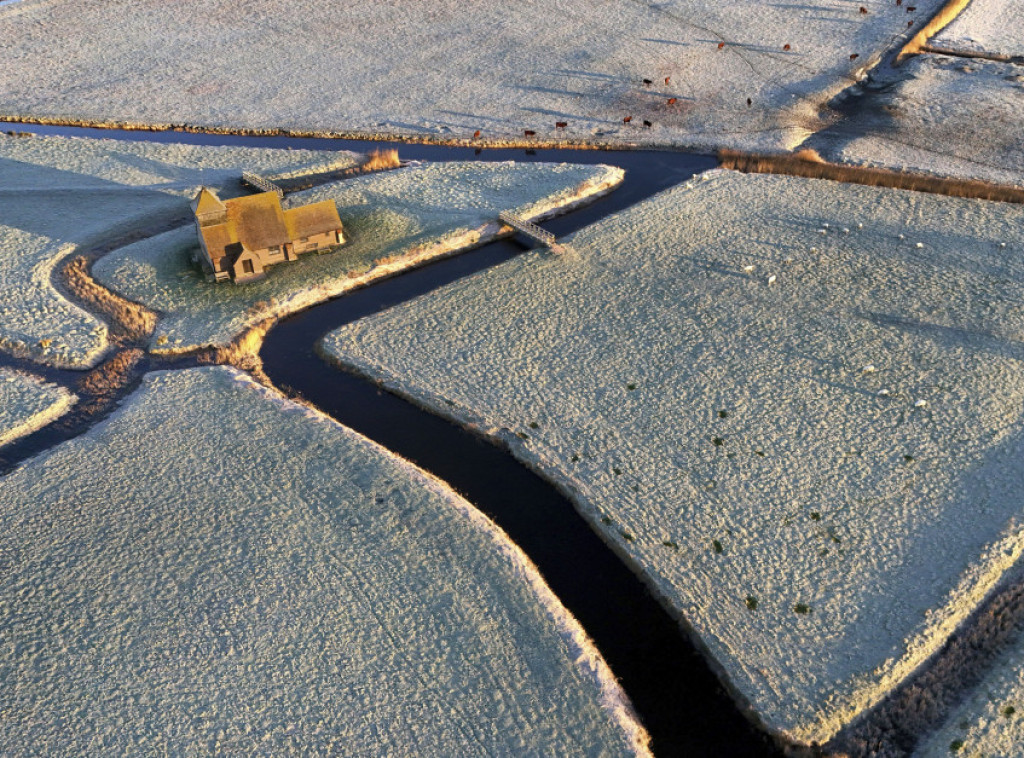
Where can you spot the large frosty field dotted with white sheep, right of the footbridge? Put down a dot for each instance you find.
(795, 405)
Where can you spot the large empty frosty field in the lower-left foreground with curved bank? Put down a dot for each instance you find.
(217, 570)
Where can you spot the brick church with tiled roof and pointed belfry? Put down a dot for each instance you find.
(240, 238)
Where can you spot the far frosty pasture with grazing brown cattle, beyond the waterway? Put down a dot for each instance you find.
(448, 68)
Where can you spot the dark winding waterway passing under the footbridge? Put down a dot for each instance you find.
(677, 696)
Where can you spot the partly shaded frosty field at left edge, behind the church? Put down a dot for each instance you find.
(58, 195)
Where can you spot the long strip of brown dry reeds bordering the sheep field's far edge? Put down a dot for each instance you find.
(810, 165)
